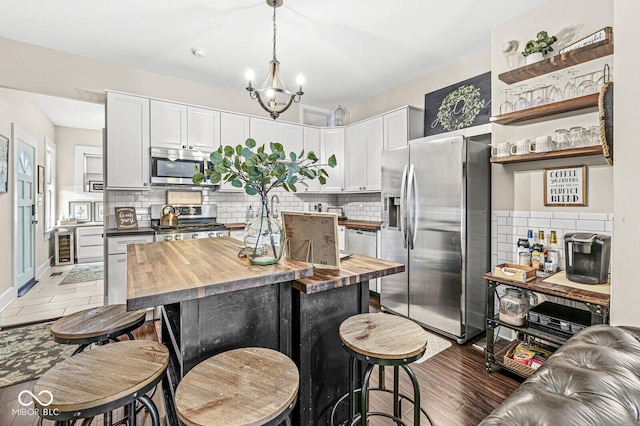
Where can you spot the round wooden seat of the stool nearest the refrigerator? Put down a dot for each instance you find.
(383, 337)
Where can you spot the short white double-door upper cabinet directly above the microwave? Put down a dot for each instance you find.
(179, 126)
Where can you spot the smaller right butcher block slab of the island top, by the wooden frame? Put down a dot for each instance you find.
(353, 270)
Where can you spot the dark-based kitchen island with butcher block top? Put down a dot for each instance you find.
(212, 301)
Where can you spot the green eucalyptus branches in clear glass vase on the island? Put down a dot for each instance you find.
(258, 171)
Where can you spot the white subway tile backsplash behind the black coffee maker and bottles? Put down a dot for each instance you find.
(508, 226)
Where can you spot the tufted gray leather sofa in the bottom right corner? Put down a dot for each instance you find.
(593, 379)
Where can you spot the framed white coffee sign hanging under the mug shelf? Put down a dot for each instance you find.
(565, 186)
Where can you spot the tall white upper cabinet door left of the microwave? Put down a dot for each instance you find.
(127, 144)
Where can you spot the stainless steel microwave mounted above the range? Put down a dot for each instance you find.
(177, 167)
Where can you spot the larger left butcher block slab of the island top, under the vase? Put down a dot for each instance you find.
(175, 271)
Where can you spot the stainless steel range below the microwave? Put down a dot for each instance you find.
(193, 222)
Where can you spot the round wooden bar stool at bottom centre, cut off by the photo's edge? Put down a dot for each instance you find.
(246, 386)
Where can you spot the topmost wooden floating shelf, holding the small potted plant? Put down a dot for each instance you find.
(559, 62)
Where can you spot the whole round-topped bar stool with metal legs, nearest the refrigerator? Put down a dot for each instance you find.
(383, 340)
